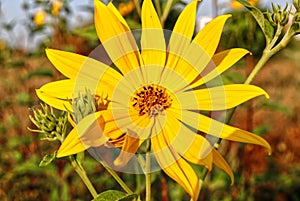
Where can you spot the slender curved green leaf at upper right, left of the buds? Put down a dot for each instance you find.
(264, 24)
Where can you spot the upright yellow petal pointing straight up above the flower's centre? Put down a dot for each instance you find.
(152, 41)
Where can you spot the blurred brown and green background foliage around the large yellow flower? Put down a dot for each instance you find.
(258, 177)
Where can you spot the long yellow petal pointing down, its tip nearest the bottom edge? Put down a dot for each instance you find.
(174, 166)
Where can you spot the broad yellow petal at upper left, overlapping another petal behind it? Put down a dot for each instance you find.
(116, 38)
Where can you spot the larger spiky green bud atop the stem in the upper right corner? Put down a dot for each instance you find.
(279, 17)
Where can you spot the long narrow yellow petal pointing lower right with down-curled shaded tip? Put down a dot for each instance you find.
(221, 130)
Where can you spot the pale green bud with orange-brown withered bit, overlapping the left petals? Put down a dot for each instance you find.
(86, 104)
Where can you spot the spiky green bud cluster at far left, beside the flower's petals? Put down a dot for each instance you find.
(54, 127)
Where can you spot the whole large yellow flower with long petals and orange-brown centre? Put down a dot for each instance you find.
(153, 93)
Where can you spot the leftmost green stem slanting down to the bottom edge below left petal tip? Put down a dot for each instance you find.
(81, 172)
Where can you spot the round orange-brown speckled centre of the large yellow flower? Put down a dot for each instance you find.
(151, 99)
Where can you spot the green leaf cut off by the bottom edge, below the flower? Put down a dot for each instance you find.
(113, 195)
